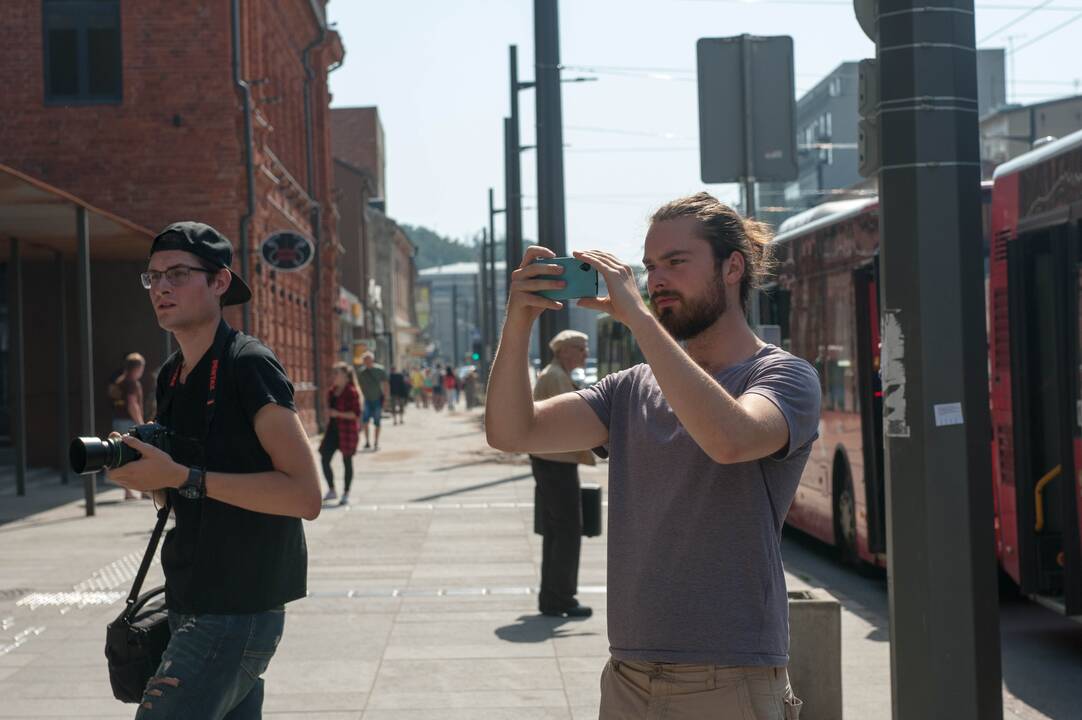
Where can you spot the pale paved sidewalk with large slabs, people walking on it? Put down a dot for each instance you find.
(423, 597)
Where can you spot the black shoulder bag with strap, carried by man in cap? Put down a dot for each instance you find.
(136, 642)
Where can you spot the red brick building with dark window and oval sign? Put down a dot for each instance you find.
(189, 110)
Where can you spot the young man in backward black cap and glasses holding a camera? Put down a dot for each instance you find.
(237, 554)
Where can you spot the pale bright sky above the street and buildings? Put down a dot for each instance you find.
(438, 71)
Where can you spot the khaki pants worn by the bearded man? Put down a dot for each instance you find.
(668, 691)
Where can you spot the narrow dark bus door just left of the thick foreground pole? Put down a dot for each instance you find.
(866, 284)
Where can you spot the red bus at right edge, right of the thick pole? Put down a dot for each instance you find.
(1036, 377)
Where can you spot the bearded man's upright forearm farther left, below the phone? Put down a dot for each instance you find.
(509, 403)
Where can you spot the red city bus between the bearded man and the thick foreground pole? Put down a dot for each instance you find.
(826, 304)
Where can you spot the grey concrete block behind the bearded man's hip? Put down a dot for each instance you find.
(815, 653)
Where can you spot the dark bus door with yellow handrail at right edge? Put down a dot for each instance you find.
(1045, 280)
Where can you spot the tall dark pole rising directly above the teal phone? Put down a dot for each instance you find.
(552, 230)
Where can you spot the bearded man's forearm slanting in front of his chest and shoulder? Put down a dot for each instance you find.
(711, 416)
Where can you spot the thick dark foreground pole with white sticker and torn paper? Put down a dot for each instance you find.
(945, 639)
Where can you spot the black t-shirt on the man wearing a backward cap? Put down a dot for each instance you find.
(222, 559)
